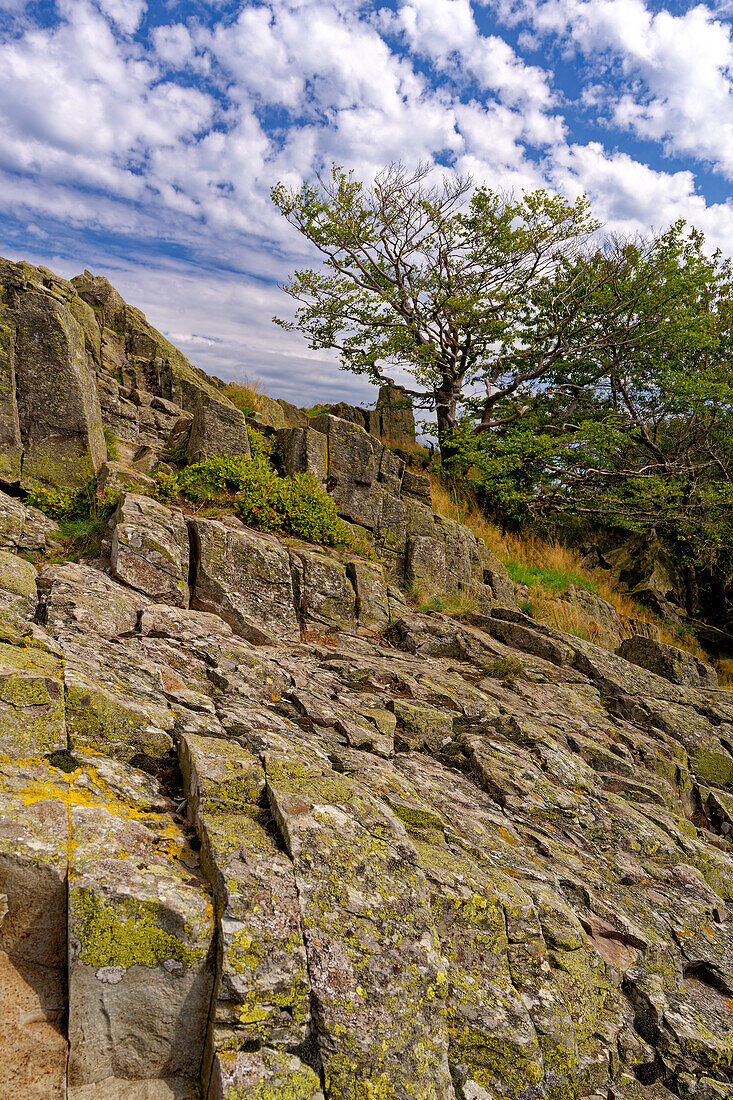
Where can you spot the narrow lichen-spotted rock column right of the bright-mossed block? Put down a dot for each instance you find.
(262, 995)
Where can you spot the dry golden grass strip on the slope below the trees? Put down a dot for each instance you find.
(548, 568)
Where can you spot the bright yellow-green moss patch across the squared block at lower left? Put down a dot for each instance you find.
(125, 933)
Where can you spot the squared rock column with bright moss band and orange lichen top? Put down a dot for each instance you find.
(140, 933)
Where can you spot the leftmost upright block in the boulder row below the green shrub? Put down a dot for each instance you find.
(150, 549)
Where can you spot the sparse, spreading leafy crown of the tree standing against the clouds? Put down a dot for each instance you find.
(457, 285)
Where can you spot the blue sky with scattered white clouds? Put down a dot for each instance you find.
(140, 140)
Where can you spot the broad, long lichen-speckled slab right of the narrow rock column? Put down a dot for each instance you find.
(377, 975)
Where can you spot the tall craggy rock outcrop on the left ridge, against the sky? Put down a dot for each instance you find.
(78, 361)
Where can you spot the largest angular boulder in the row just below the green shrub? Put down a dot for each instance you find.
(246, 579)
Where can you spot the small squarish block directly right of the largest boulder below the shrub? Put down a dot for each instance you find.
(324, 595)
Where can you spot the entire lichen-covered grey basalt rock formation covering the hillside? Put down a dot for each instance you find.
(267, 832)
